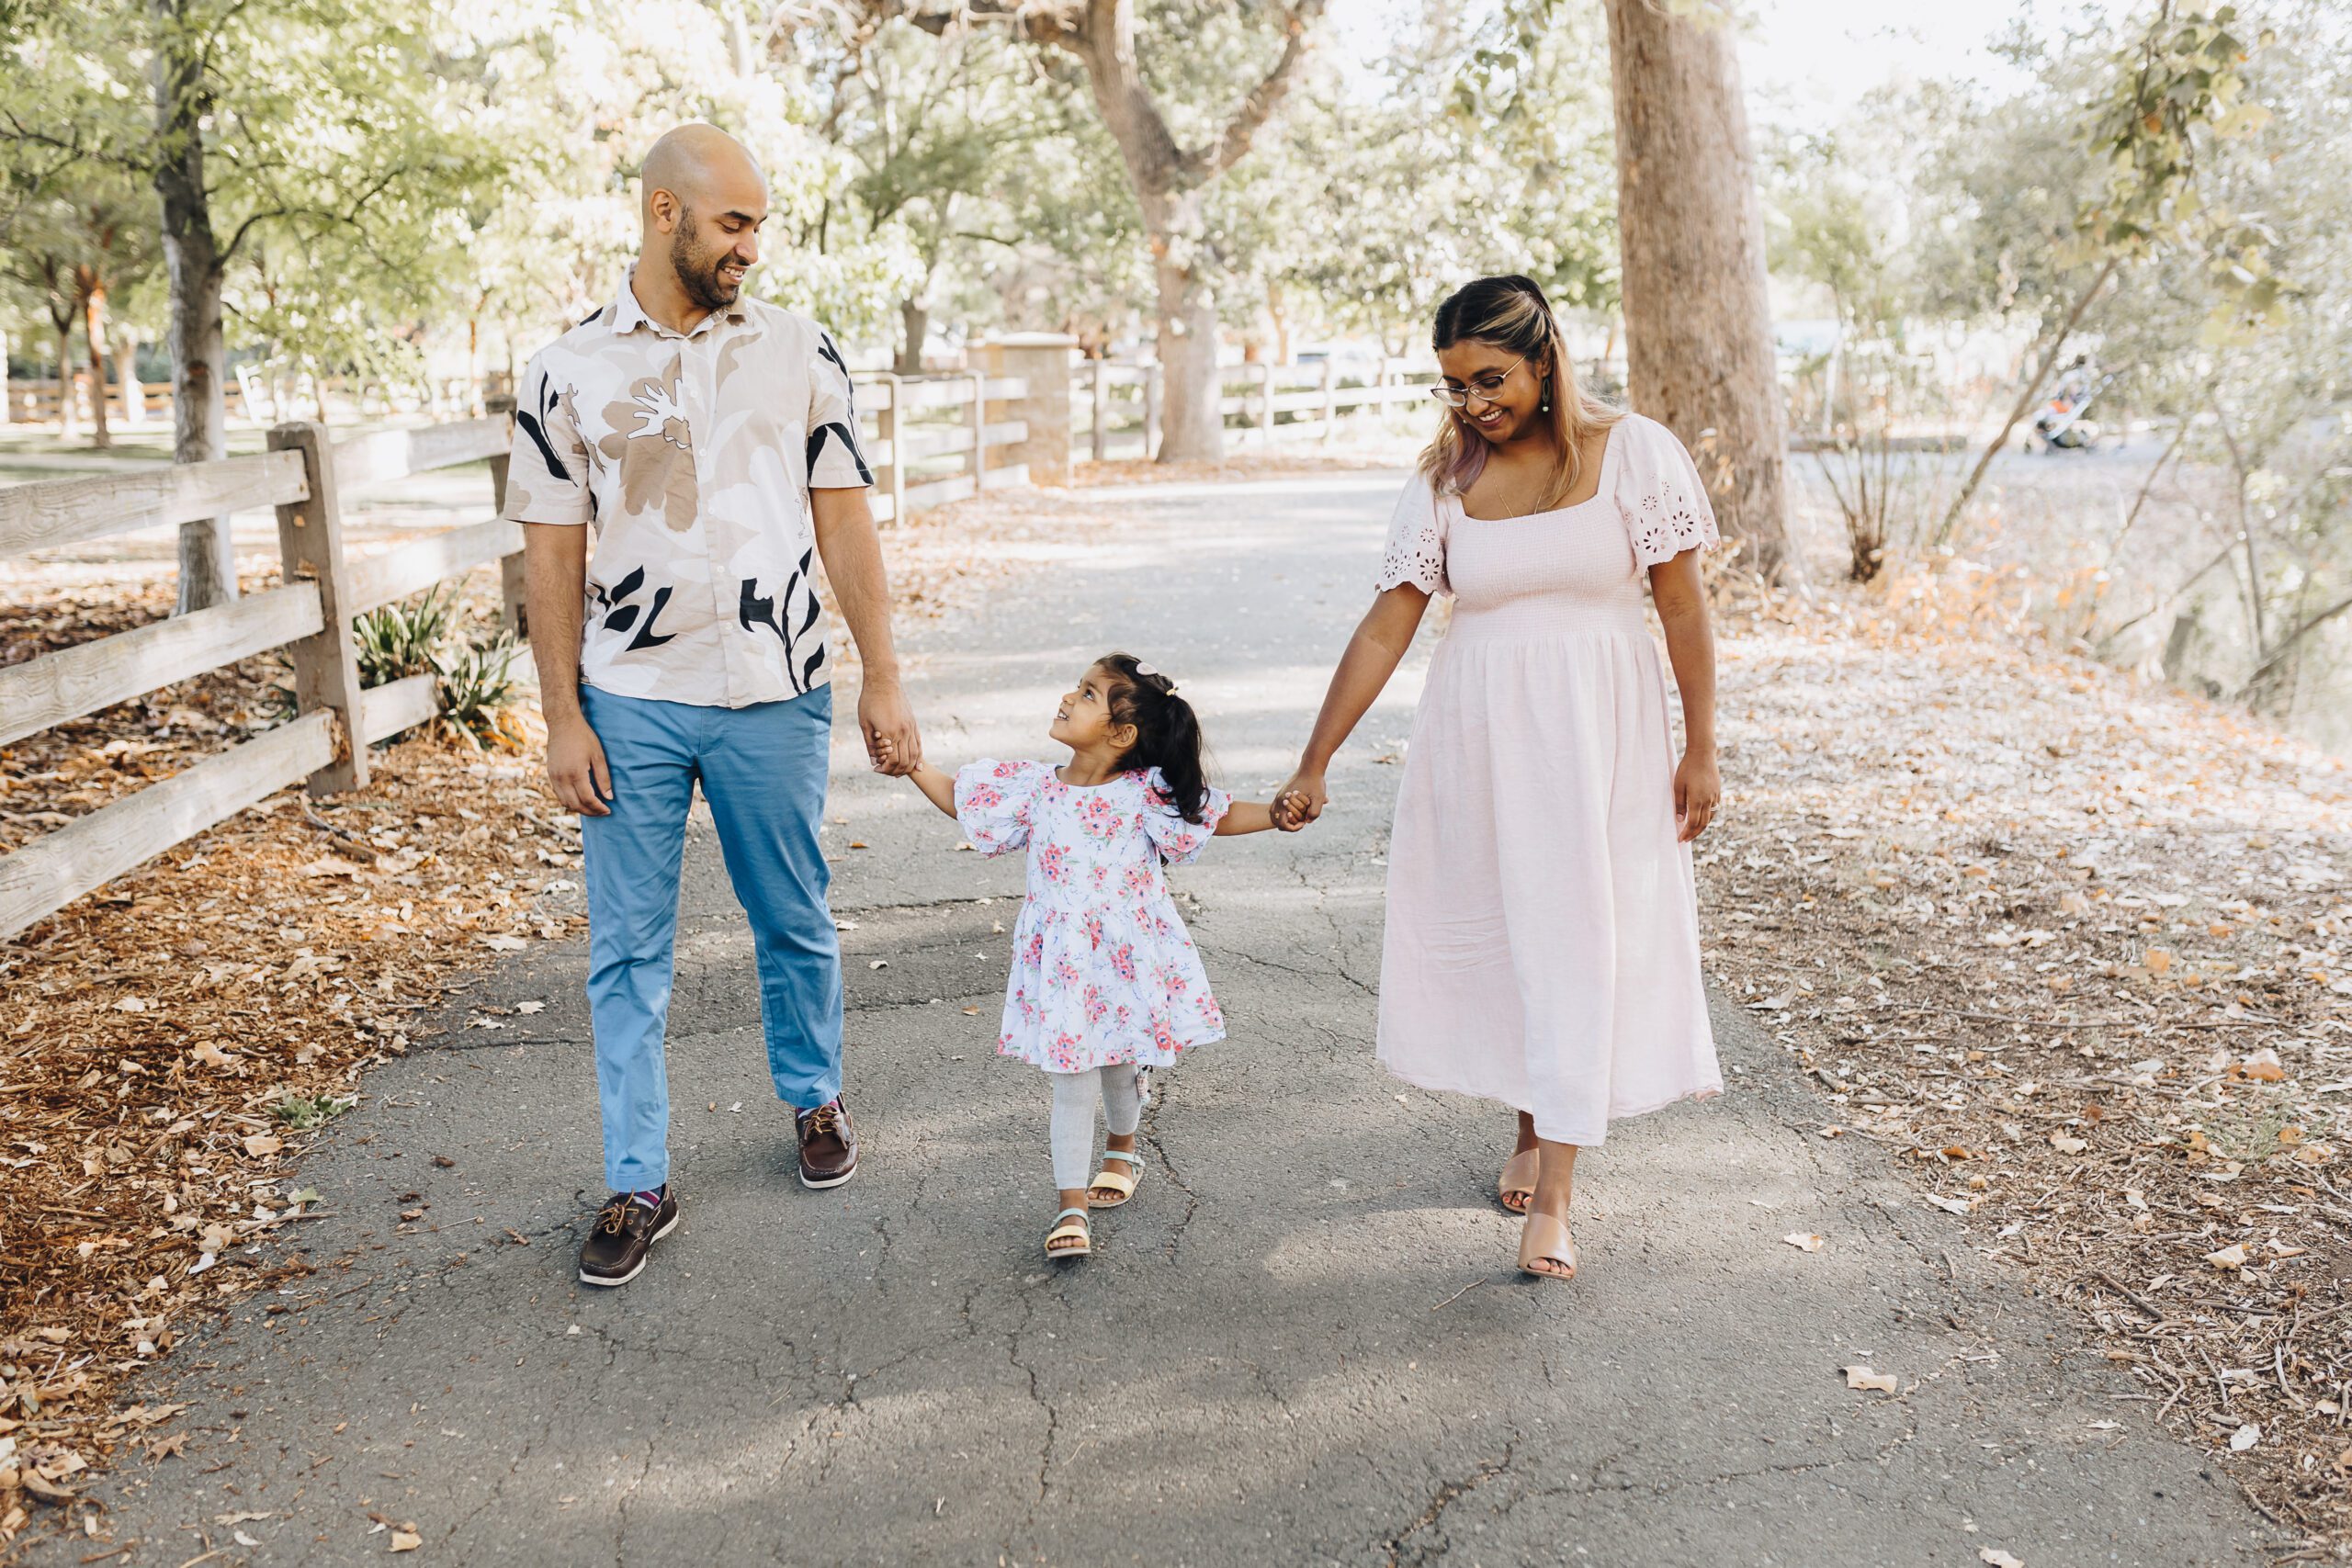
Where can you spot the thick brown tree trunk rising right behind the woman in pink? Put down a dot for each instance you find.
(1699, 349)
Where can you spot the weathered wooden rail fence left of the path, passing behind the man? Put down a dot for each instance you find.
(911, 429)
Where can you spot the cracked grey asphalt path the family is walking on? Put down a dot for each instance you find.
(1302, 1343)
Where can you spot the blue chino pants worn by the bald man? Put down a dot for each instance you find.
(763, 770)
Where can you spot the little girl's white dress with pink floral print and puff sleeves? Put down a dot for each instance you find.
(1104, 970)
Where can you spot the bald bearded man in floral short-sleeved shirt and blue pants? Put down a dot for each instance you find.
(711, 445)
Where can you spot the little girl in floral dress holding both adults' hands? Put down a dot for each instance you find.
(1107, 984)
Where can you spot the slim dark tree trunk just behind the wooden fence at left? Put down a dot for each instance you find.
(208, 572)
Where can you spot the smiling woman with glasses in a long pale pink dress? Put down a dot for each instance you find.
(1542, 920)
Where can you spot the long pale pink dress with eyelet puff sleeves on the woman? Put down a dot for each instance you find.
(1542, 920)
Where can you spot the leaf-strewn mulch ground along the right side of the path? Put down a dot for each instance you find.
(2080, 951)
